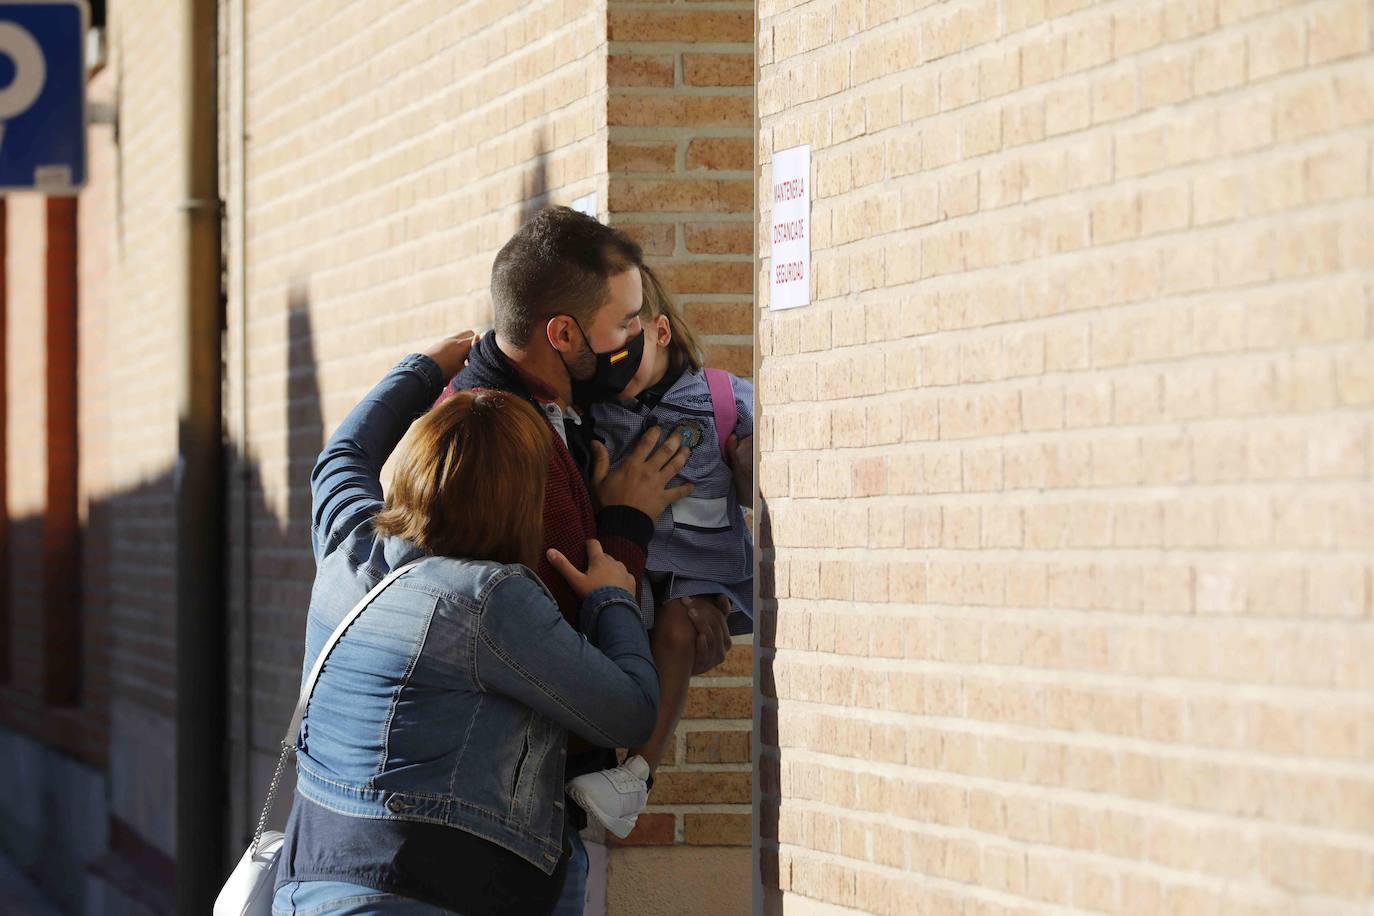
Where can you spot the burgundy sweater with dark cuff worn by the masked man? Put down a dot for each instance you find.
(570, 514)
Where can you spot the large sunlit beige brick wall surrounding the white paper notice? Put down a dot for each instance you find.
(1068, 465)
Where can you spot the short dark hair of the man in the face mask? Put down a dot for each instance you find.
(559, 263)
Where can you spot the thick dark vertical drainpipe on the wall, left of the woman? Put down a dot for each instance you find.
(201, 646)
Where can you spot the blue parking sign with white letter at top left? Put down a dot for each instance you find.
(43, 97)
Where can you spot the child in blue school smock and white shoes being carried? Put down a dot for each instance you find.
(701, 554)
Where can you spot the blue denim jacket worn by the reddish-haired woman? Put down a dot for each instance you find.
(451, 697)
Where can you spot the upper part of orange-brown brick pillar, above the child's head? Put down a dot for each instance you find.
(681, 159)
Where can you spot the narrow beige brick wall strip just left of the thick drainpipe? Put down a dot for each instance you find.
(141, 380)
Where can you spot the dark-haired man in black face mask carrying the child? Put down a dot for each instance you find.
(567, 292)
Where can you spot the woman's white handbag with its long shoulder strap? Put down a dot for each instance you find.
(251, 888)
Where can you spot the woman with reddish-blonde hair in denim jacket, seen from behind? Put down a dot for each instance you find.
(431, 763)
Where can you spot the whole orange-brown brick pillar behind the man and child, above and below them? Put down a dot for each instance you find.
(681, 181)
